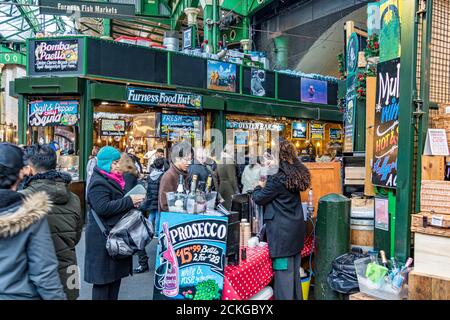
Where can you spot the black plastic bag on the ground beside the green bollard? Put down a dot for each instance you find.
(342, 277)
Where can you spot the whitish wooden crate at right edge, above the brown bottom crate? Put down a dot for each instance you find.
(432, 255)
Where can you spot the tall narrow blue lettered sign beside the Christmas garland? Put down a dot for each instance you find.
(349, 114)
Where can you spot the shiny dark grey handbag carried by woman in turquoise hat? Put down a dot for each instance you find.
(131, 234)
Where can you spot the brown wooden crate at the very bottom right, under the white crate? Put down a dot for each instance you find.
(422, 286)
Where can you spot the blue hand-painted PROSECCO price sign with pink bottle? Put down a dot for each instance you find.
(190, 257)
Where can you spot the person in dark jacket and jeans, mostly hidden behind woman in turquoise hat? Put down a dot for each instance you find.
(150, 206)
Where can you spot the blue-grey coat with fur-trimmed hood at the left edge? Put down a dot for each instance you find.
(28, 264)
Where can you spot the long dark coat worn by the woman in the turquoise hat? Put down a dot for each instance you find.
(106, 198)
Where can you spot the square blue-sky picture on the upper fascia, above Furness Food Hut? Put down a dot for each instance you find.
(221, 76)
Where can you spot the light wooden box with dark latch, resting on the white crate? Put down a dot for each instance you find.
(431, 223)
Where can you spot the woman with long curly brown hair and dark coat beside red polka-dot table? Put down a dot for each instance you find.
(284, 220)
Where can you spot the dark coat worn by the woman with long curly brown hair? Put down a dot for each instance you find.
(283, 216)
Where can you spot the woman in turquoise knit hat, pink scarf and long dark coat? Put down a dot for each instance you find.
(106, 199)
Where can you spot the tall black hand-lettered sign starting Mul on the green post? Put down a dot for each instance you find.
(384, 171)
